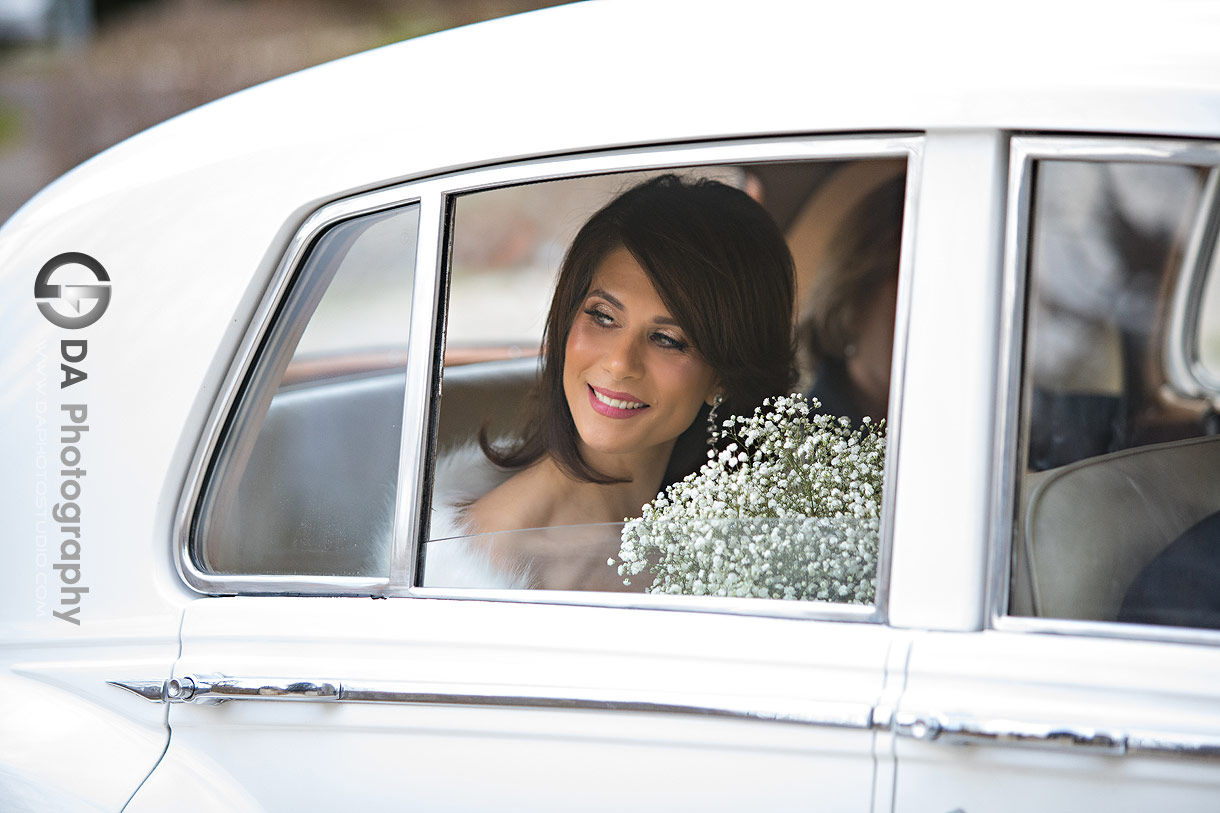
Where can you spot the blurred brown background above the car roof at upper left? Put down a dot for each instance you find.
(79, 76)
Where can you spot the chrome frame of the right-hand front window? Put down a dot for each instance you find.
(1011, 425)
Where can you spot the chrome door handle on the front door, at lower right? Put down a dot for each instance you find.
(961, 731)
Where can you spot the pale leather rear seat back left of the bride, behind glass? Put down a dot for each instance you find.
(318, 491)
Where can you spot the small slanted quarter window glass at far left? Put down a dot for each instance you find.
(306, 478)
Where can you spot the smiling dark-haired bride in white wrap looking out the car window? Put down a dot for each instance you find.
(674, 301)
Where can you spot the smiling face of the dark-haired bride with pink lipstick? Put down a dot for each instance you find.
(633, 380)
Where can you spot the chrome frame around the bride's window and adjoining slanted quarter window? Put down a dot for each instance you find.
(435, 196)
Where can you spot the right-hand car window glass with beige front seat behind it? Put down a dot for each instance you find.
(1119, 458)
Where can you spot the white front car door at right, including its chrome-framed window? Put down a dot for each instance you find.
(1061, 699)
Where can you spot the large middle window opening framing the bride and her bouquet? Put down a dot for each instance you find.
(655, 286)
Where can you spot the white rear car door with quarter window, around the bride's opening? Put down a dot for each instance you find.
(317, 673)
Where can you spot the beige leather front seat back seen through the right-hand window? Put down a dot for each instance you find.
(1090, 528)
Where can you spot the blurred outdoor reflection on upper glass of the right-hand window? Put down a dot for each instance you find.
(1103, 239)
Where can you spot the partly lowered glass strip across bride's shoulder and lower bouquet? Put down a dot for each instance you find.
(800, 558)
